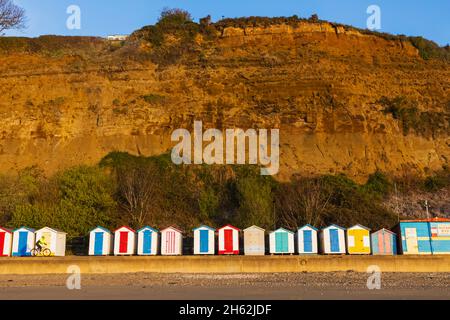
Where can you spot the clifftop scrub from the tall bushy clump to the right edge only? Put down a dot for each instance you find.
(178, 24)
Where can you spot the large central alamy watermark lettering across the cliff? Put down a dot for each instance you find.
(228, 148)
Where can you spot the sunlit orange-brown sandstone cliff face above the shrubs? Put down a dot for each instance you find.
(320, 85)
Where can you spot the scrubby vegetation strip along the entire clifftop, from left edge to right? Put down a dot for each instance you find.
(173, 37)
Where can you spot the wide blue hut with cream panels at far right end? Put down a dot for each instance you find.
(428, 236)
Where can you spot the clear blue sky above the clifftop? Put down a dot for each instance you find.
(429, 19)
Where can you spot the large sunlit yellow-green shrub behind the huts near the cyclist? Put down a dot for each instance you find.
(74, 200)
